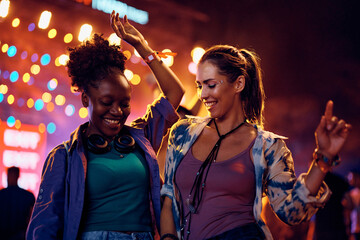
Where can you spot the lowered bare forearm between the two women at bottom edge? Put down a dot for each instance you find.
(167, 224)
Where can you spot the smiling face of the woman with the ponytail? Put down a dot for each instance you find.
(220, 97)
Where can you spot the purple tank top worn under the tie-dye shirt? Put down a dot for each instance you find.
(228, 197)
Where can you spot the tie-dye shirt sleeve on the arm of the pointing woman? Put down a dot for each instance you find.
(288, 195)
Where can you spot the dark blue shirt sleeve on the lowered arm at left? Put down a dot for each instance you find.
(47, 220)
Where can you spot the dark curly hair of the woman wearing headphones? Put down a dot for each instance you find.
(92, 61)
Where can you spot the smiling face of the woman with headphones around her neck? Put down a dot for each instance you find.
(108, 105)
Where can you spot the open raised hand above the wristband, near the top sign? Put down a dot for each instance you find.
(125, 30)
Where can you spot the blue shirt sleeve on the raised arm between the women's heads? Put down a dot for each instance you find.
(159, 117)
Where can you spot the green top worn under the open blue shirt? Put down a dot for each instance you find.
(117, 193)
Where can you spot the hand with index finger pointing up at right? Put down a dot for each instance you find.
(331, 132)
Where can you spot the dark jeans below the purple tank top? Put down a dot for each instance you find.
(249, 231)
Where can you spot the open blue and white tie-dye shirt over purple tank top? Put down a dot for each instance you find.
(274, 176)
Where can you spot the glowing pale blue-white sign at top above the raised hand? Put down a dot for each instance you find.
(132, 13)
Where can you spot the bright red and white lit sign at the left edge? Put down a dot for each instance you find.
(25, 149)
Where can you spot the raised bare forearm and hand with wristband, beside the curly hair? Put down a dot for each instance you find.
(168, 82)
